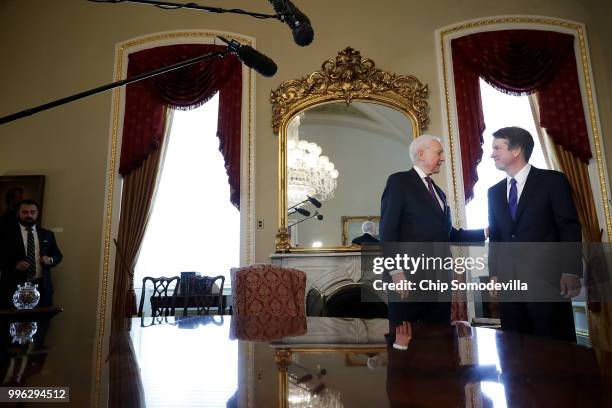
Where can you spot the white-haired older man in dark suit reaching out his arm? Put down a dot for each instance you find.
(414, 210)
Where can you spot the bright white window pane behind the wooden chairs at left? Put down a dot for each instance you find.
(193, 226)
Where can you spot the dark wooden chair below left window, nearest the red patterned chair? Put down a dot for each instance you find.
(200, 292)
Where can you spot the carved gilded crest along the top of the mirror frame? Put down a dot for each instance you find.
(349, 76)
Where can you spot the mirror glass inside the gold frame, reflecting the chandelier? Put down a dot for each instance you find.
(341, 155)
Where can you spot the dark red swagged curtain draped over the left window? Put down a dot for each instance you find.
(186, 88)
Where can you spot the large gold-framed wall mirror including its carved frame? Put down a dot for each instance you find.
(342, 131)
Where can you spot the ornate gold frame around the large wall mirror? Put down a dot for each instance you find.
(348, 77)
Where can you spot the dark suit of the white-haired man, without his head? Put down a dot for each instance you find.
(409, 214)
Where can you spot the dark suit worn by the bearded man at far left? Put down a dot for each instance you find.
(14, 251)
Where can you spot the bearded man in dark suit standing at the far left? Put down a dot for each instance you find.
(29, 253)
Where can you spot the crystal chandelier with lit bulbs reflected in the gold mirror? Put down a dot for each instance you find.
(308, 173)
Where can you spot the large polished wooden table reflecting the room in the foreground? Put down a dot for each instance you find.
(225, 361)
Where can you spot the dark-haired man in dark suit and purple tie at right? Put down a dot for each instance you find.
(534, 206)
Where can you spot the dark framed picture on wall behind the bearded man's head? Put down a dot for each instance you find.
(26, 187)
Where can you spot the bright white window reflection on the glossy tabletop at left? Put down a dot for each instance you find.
(187, 361)
